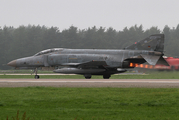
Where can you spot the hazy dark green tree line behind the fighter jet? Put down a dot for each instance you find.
(28, 40)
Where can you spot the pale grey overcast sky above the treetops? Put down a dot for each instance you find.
(88, 13)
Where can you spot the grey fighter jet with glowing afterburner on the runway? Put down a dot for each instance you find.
(90, 62)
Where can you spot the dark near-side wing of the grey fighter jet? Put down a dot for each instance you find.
(90, 64)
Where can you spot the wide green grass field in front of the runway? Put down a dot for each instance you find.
(47, 103)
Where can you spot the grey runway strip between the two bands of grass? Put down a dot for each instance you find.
(150, 83)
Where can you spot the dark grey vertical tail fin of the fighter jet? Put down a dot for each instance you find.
(153, 43)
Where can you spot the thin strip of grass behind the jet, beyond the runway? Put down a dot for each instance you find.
(149, 75)
